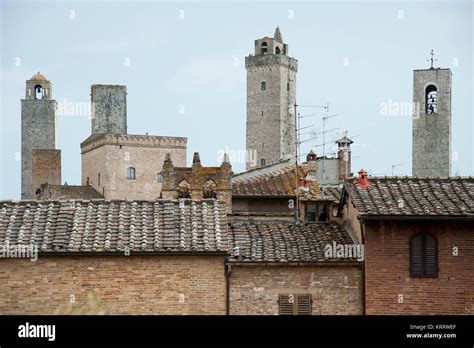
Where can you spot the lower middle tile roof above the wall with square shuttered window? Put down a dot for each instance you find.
(284, 242)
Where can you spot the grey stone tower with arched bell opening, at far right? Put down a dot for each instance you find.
(431, 152)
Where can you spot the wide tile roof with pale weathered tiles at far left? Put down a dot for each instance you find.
(115, 226)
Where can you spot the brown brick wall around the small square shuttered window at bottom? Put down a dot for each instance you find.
(335, 289)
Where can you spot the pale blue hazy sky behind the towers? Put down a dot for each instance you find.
(183, 65)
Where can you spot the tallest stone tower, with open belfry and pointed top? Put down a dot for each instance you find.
(271, 96)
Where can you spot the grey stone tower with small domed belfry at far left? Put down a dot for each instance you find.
(38, 126)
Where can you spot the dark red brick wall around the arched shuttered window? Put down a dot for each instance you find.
(387, 269)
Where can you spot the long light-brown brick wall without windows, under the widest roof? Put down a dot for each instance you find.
(125, 285)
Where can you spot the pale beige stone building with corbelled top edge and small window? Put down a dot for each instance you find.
(124, 166)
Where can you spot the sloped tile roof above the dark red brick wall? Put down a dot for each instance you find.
(413, 196)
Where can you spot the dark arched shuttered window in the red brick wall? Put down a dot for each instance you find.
(423, 256)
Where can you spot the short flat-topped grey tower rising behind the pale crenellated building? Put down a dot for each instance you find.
(109, 109)
